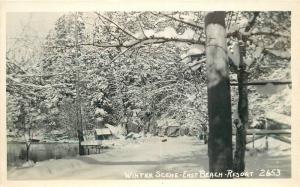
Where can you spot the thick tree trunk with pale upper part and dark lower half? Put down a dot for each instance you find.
(219, 99)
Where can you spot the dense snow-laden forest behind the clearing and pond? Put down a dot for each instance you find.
(137, 70)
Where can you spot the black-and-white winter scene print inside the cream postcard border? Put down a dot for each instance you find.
(137, 95)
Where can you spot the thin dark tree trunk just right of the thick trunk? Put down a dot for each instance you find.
(242, 125)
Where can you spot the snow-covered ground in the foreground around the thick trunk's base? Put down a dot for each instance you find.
(148, 157)
